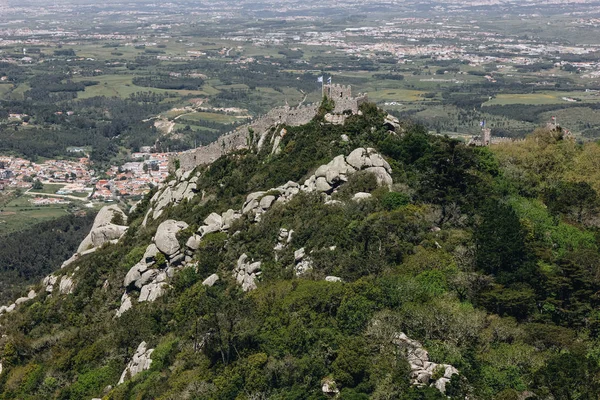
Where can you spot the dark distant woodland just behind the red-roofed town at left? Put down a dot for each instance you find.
(103, 123)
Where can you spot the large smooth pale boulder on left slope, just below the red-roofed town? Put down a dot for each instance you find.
(104, 230)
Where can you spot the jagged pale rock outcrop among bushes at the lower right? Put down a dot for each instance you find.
(424, 372)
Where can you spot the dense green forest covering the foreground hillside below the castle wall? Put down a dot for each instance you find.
(487, 256)
